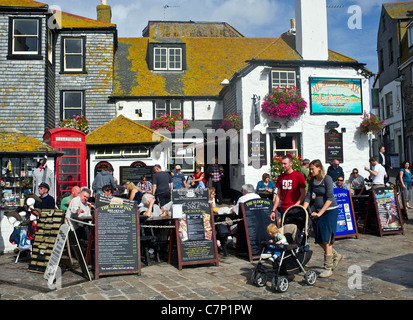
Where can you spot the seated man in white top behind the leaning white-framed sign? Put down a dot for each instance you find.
(79, 209)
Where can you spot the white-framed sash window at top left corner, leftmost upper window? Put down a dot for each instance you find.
(25, 35)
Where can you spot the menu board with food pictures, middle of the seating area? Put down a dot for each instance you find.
(195, 231)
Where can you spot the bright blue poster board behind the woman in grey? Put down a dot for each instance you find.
(346, 221)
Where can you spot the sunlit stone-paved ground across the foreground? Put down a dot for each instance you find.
(384, 263)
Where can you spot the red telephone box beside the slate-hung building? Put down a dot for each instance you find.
(71, 167)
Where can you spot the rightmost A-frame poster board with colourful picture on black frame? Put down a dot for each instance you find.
(383, 212)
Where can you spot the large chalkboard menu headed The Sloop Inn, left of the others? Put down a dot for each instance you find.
(117, 237)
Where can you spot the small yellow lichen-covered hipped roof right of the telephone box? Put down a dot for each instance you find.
(122, 130)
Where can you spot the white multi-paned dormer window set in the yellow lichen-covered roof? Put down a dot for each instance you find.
(167, 57)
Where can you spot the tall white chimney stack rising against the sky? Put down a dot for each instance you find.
(311, 31)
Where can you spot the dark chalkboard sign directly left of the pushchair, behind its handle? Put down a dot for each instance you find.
(252, 230)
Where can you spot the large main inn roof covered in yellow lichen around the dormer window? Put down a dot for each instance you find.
(209, 61)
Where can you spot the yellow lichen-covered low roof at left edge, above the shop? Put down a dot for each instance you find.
(19, 142)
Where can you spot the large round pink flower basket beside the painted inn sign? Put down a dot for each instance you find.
(284, 103)
